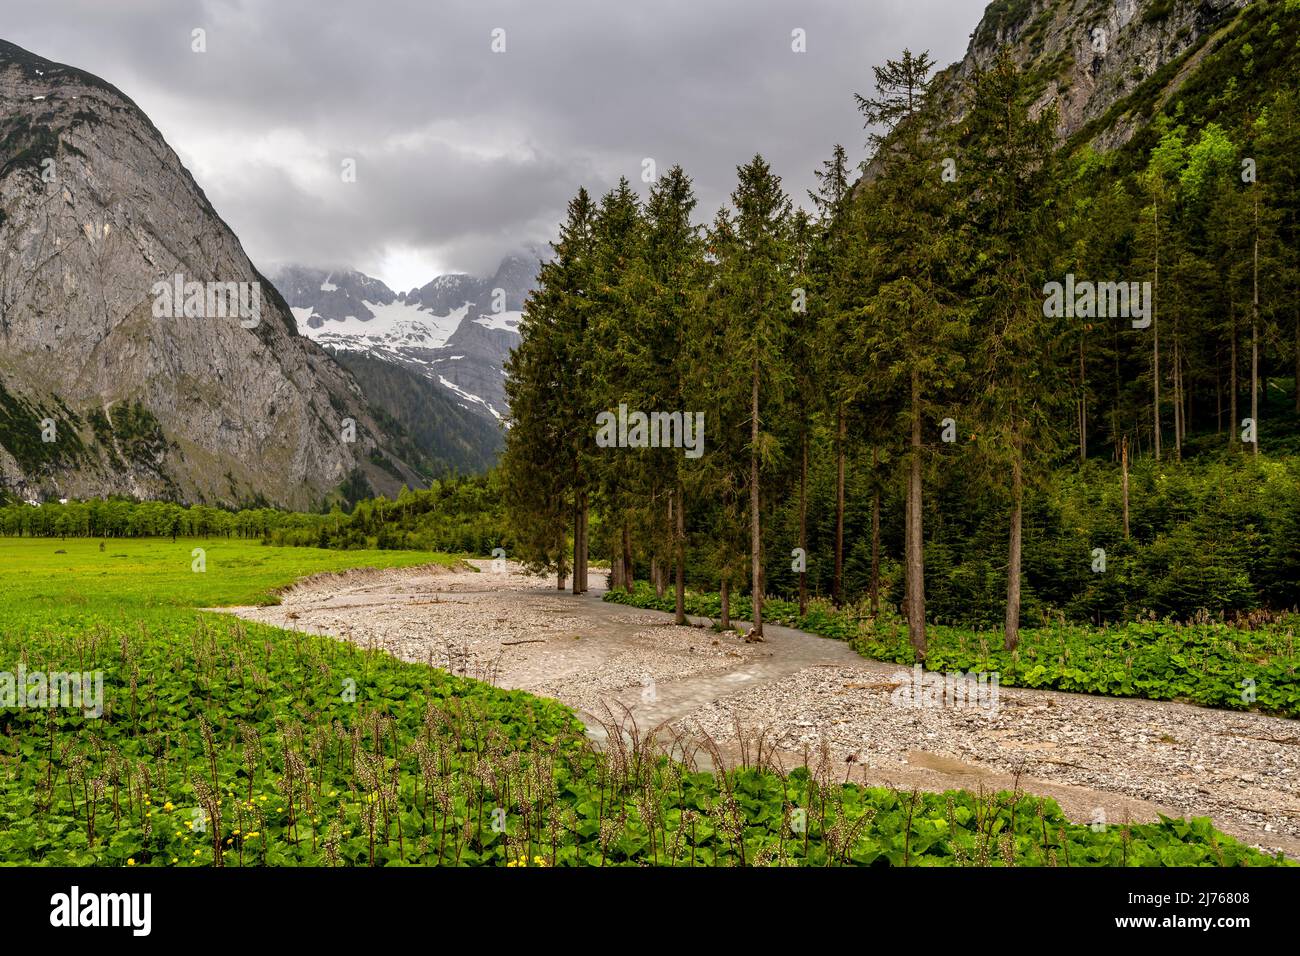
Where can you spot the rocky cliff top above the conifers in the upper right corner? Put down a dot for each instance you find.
(1089, 57)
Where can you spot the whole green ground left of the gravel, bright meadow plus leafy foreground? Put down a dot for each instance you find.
(216, 742)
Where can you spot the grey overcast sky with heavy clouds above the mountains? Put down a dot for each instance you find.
(465, 154)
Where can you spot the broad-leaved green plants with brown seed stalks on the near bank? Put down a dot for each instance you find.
(413, 772)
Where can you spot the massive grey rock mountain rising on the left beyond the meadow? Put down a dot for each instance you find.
(96, 210)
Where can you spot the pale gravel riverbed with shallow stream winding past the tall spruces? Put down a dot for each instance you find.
(1104, 760)
